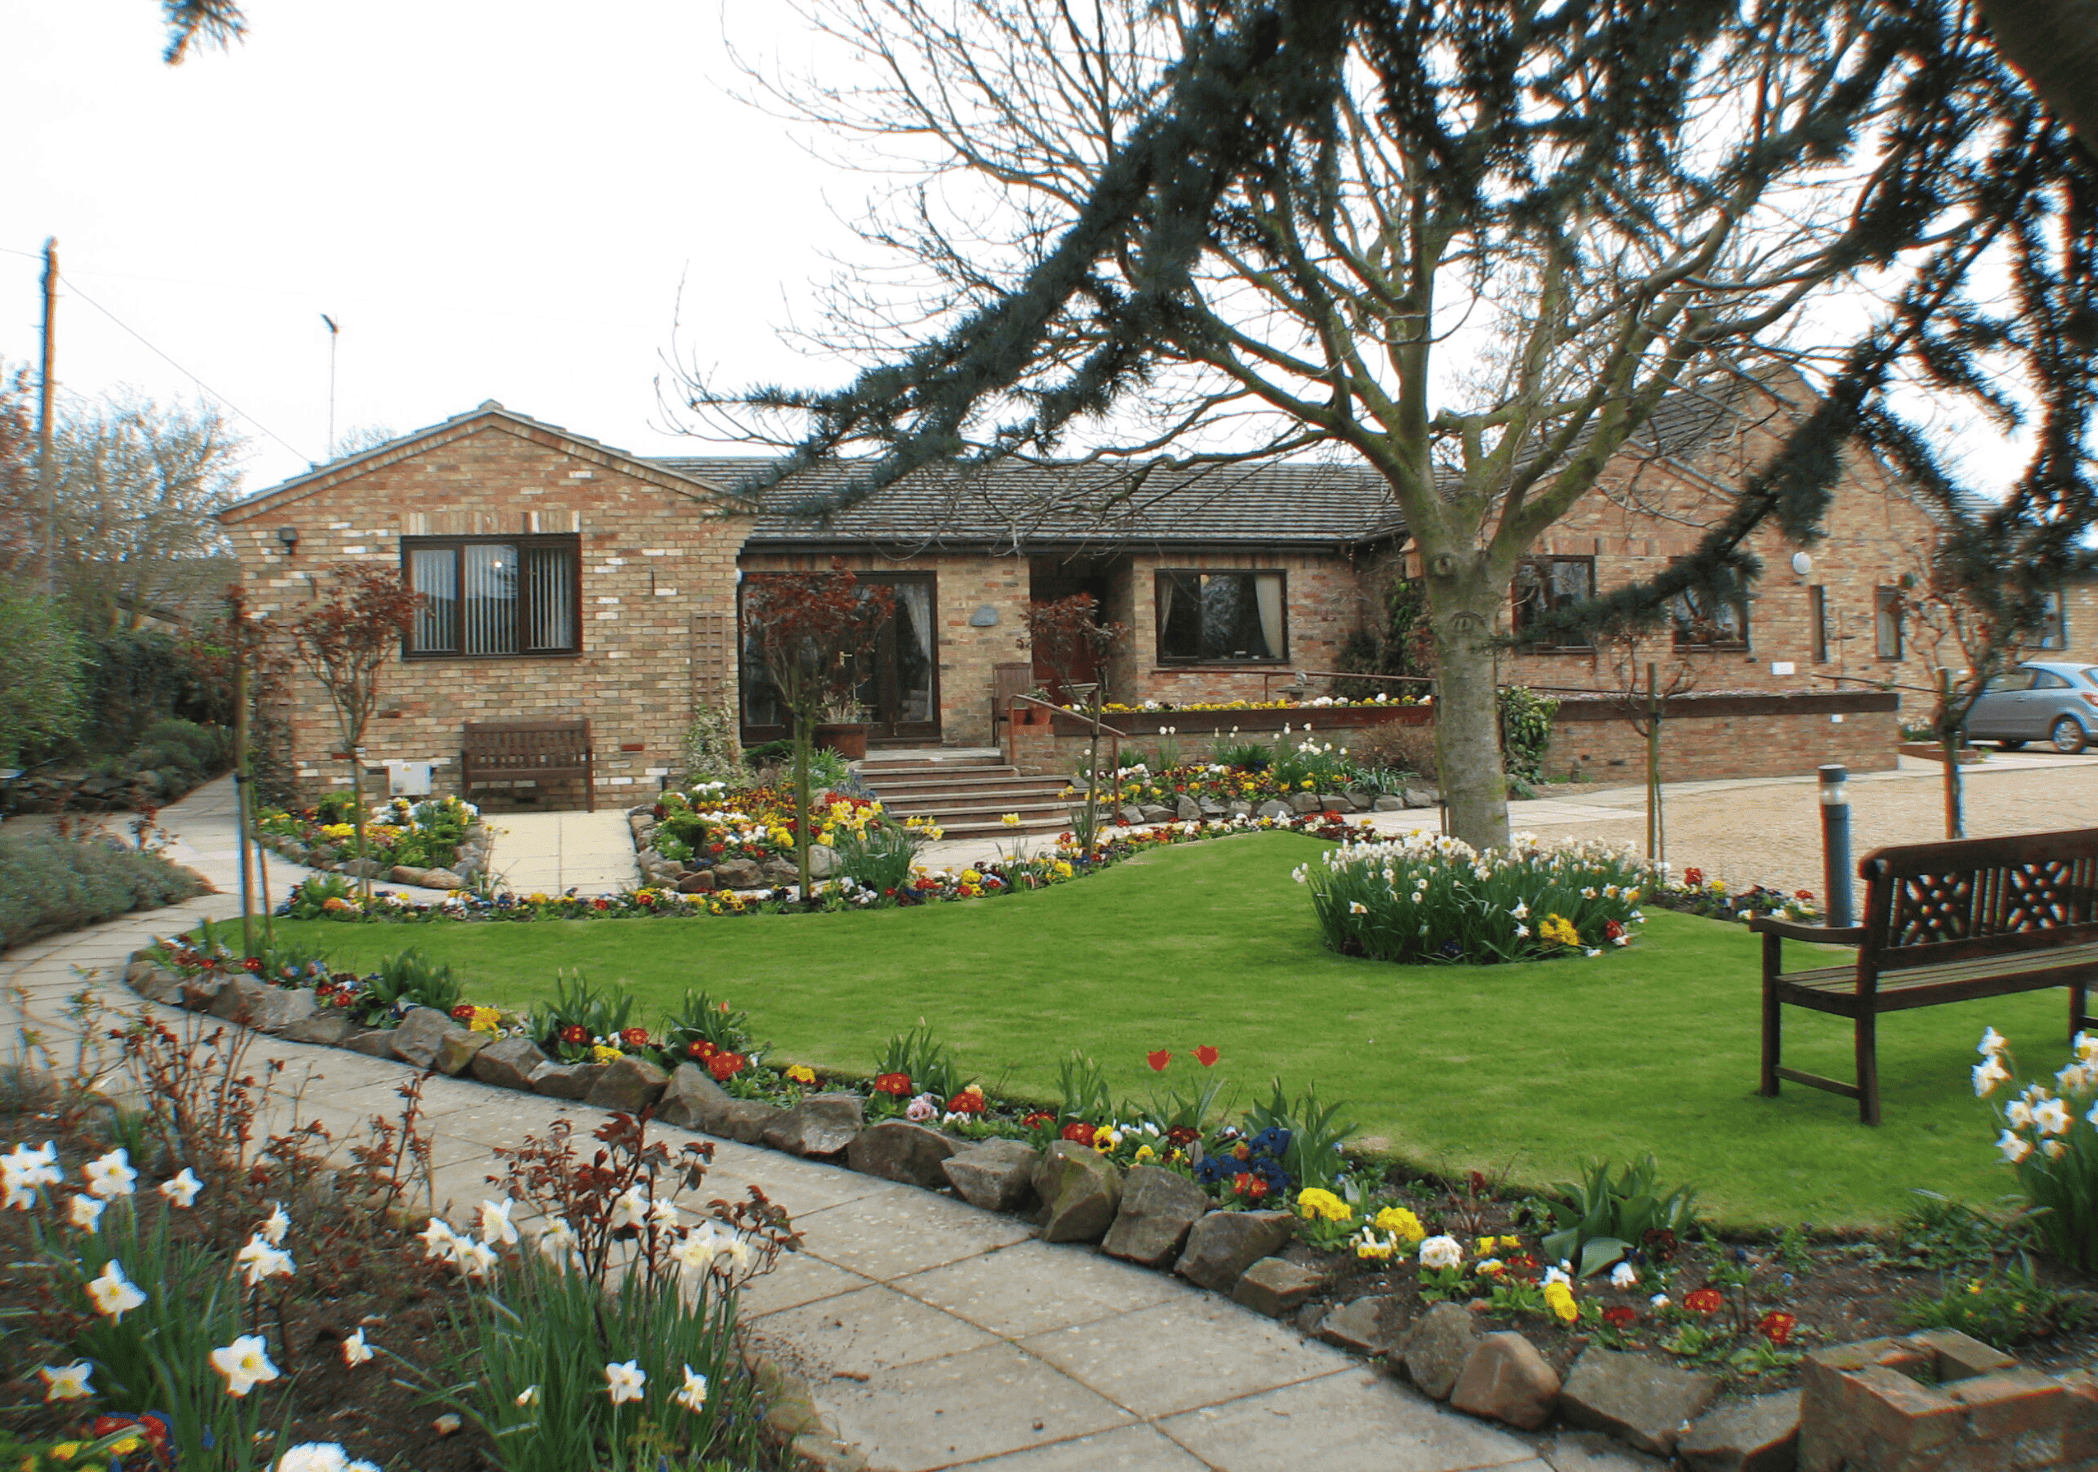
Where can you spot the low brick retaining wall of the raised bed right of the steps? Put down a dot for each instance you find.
(1703, 735)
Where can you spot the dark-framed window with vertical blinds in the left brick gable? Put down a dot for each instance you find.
(488, 597)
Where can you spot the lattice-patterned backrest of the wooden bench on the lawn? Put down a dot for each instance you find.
(1935, 903)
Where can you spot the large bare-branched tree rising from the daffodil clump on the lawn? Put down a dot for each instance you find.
(1289, 219)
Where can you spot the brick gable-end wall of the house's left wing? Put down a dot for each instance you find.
(658, 582)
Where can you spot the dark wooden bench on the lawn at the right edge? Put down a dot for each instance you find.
(1942, 924)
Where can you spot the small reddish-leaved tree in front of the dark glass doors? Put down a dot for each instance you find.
(811, 630)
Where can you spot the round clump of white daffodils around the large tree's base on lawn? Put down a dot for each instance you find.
(1432, 899)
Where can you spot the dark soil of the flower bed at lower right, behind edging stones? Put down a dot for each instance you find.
(1835, 1291)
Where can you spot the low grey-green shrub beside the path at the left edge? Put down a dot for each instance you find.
(58, 884)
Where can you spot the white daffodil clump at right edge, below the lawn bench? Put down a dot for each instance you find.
(2051, 1140)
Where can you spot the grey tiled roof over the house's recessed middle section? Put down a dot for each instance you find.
(1019, 504)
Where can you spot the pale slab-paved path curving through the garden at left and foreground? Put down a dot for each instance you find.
(935, 1335)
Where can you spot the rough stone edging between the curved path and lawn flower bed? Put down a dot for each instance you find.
(1157, 1219)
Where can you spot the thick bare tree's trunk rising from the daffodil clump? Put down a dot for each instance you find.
(1463, 601)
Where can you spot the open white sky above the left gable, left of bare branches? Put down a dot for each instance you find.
(492, 200)
